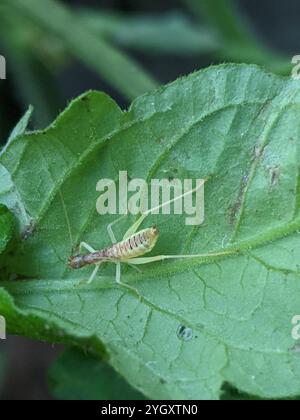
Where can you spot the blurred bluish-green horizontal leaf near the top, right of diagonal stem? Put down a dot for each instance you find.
(169, 33)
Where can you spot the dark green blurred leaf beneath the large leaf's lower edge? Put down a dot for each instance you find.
(78, 376)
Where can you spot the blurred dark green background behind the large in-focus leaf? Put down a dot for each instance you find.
(56, 50)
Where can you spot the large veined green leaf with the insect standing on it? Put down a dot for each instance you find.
(233, 125)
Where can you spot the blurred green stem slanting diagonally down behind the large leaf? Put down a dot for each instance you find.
(111, 64)
